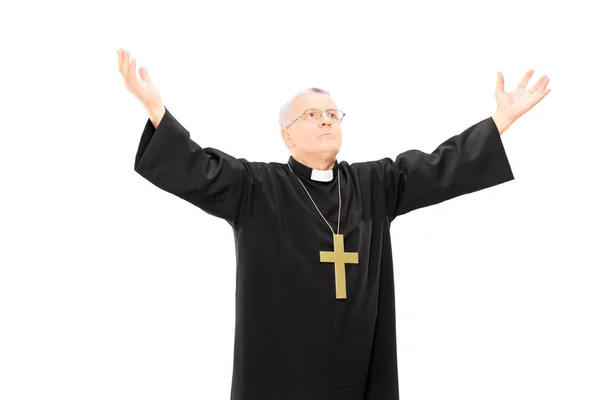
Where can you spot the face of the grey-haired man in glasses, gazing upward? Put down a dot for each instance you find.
(312, 136)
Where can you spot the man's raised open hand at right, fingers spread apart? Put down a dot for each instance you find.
(522, 99)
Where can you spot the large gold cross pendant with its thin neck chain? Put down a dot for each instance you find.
(337, 256)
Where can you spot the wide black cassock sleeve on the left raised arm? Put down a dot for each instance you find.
(212, 180)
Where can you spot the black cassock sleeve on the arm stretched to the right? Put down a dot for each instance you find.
(471, 161)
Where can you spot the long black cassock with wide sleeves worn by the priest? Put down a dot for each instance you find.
(294, 340)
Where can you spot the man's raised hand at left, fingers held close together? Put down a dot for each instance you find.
(143, 89)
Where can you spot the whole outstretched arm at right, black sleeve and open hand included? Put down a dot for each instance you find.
(465, 163)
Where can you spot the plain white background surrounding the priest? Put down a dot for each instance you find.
(113, 289)
